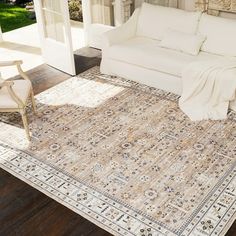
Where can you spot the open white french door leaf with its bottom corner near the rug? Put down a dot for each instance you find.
(55, 34)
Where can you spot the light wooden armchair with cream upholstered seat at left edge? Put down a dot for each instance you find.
(15, 94)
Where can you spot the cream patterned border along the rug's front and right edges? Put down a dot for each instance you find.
(46, 186)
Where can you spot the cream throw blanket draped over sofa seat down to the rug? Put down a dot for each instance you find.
(208, 89)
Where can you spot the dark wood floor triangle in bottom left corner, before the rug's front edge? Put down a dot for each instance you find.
(24, 211)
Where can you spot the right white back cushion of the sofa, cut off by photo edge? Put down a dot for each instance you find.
(220, 35)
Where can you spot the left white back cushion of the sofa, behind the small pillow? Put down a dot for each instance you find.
(154, 21)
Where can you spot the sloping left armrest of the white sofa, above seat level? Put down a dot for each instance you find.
(121, 33)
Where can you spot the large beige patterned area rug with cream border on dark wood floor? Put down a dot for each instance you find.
(125, 157)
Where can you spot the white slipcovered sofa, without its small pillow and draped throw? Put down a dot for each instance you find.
(133, 50)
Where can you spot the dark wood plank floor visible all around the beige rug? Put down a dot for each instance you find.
(24, 211)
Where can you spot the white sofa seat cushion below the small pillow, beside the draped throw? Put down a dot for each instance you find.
(146, 53)
